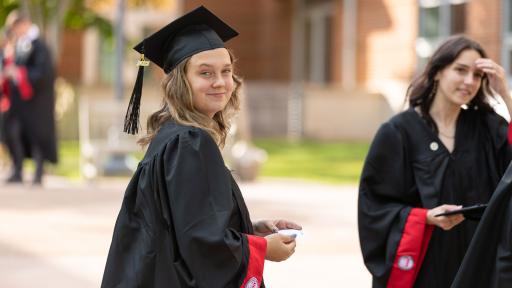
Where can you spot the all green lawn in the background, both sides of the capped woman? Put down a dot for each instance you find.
(333, 162)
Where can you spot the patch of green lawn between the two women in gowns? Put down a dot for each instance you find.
(334, 162)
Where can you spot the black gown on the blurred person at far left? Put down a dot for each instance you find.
(37, 114)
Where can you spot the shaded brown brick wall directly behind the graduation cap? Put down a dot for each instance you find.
(264, 45)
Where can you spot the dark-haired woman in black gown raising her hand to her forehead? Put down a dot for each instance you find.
(448, 150)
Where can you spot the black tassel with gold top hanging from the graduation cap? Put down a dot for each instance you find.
(131, 120)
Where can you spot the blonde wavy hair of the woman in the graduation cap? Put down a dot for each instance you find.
(178, 106)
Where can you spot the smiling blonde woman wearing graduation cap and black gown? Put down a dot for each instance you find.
(183, 221)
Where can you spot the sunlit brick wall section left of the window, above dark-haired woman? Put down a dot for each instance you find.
(386, 40)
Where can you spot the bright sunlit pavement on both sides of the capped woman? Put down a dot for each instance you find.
(58, 236)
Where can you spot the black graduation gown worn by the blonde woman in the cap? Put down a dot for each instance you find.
(183, 221)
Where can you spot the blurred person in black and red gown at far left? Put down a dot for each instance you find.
(28, 83)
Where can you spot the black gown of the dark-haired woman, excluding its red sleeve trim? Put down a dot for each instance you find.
(404, 170)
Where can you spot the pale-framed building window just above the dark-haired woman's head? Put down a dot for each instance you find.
(438, 20)
